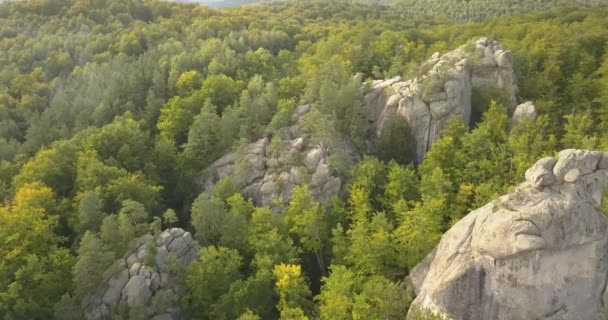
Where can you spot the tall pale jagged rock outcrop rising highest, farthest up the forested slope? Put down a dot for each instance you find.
(442, 90)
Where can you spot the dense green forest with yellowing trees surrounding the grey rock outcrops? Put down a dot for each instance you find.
(109, 111)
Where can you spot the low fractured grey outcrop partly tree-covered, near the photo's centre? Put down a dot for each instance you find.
(266, 173)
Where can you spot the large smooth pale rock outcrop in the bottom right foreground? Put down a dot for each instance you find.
(540, 252)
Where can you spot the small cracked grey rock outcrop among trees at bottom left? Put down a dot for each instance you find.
(146, 278)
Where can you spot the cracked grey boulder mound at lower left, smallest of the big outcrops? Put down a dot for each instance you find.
(134, 284)
